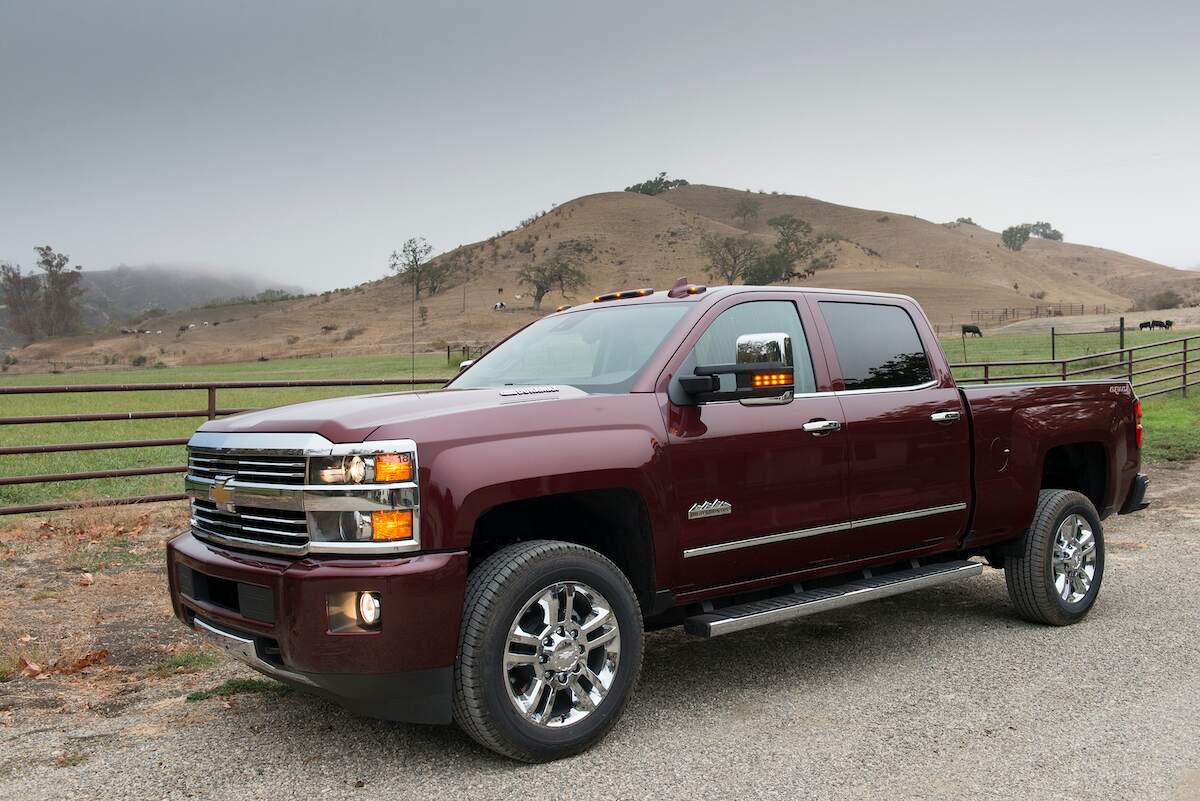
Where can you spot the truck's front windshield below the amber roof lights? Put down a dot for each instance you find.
(597, 351)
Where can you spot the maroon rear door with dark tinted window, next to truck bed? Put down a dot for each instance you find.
(907, 429)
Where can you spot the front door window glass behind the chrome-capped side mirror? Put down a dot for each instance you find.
(719, 344)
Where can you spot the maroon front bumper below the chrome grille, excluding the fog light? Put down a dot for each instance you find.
(272, 613)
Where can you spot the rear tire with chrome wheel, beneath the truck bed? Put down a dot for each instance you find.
(1047, 583)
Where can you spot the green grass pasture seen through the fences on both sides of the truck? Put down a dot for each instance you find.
(1173, 424)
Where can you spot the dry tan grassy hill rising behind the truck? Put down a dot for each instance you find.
(632, 240)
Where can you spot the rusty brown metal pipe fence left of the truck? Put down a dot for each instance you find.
(212, 412)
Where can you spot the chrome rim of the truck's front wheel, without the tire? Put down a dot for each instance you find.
(562, 655)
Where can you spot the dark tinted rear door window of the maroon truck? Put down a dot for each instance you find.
(878, 346)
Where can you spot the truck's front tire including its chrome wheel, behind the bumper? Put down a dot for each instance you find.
(508, 618)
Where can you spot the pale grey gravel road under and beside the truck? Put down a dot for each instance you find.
(937, 695)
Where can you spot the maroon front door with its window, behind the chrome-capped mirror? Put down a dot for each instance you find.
(757, 495)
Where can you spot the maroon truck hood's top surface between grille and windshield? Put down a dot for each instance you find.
(355, 419)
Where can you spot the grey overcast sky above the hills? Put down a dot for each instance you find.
(307, 141)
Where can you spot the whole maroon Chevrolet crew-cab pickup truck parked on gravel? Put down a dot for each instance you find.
(716, 459)
